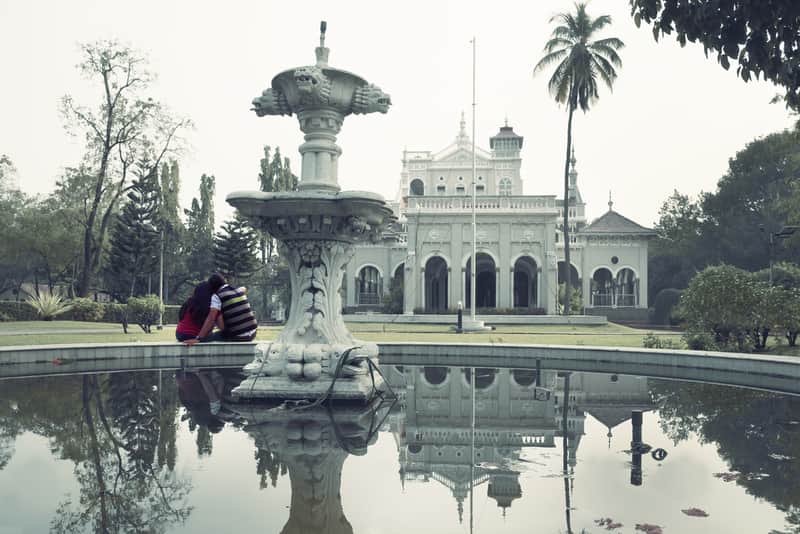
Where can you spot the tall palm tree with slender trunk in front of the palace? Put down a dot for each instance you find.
(580, 61)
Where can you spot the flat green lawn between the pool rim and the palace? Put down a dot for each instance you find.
(610, 335)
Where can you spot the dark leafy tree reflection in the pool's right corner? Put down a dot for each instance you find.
(757, 433)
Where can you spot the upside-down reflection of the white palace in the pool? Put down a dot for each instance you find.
(514, 409)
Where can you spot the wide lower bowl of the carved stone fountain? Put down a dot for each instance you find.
(348, 216)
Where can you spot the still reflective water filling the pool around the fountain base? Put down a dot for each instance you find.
(526, 452)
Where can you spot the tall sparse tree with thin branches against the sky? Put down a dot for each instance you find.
(122, 126)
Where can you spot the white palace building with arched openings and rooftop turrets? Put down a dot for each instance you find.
(520, 249)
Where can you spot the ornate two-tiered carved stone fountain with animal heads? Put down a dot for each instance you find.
(317, 228)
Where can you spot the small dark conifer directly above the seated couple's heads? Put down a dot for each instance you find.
(234, 251)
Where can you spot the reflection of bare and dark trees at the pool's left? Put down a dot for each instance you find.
(122, 443)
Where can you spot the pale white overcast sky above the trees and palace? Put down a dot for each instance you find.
(672, 121)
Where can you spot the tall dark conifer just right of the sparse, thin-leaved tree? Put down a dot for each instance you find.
(135, 242)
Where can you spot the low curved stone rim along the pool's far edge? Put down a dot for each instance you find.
(761, 371)
